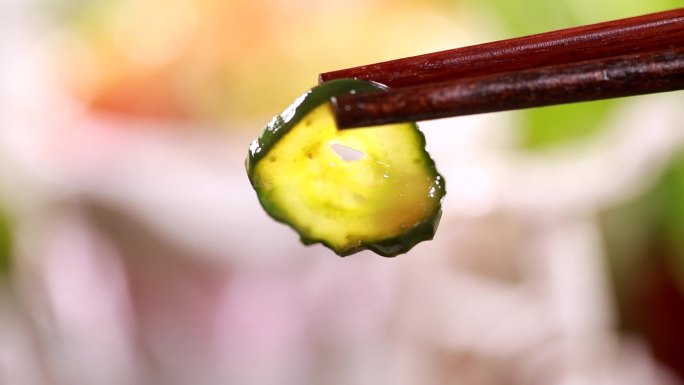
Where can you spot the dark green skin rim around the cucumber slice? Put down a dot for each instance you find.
(286, 121)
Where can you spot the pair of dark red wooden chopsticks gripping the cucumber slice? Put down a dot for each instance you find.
(627, 57)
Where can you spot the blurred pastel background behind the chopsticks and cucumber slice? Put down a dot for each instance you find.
(133, 250)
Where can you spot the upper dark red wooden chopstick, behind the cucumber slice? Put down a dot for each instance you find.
(658, 31)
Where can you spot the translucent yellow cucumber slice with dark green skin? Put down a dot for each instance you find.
(384, 196)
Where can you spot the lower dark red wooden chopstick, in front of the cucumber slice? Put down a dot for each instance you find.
(628, 75)
